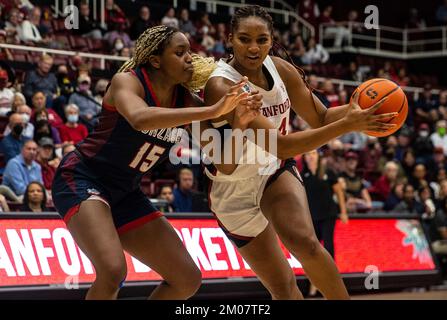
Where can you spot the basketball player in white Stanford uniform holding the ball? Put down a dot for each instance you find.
(254, 209)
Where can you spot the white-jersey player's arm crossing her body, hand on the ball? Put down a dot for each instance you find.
(290, 145)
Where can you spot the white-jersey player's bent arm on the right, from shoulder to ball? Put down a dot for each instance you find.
(303, 101)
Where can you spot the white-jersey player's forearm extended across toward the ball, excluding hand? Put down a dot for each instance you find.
(308, 140)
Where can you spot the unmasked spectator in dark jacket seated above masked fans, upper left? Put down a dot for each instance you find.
(41, 79)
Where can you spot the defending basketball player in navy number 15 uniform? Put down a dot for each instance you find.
(96, 188)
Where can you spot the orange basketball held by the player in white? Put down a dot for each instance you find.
(372, 91)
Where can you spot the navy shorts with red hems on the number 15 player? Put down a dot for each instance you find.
(76, 182)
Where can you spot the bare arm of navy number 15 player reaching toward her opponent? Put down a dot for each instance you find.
(126, 95)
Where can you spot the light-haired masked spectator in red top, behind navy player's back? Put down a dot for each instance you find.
(72, 131)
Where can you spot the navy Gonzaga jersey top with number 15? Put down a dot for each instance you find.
(115, 150)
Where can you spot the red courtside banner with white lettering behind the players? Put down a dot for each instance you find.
(42, 252)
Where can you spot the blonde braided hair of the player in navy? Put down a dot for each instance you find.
(154, 41)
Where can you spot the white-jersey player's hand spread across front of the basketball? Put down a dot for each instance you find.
(358, 119)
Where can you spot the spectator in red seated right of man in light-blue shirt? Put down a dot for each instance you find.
(47, 161)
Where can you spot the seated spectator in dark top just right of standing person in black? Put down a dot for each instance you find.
(358, 198)
